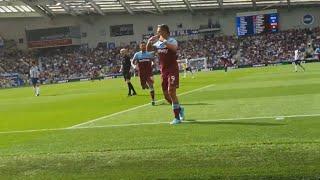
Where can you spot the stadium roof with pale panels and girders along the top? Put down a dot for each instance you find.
(78, 7)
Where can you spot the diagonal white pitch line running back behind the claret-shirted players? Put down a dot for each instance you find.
(134, 108)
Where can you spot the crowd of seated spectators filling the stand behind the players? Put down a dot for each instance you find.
(79, 62)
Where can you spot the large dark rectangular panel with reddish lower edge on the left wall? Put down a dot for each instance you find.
(53, 37)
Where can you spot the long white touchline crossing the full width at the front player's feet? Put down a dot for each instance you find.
(157, 123)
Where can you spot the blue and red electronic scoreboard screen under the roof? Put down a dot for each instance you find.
(256, 23)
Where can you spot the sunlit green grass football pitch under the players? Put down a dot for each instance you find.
(256, 123)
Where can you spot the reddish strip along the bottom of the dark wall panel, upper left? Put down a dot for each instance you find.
(49, 43)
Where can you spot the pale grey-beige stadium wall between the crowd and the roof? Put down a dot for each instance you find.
(97, 27)
